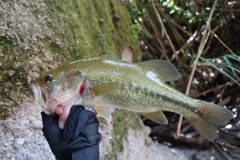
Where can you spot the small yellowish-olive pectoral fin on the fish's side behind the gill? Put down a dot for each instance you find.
(103, 89)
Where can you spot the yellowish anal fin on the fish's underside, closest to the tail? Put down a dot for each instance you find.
(157, 116)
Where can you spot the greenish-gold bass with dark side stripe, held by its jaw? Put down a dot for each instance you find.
(106, 82)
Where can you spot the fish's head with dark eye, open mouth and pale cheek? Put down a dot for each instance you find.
(61, 86)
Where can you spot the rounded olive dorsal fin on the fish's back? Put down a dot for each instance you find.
(164, 69)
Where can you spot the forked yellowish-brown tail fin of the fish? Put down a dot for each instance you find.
(210, 117)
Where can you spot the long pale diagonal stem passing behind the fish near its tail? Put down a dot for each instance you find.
(200, 49)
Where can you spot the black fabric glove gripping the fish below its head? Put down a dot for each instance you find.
(78, 140)
